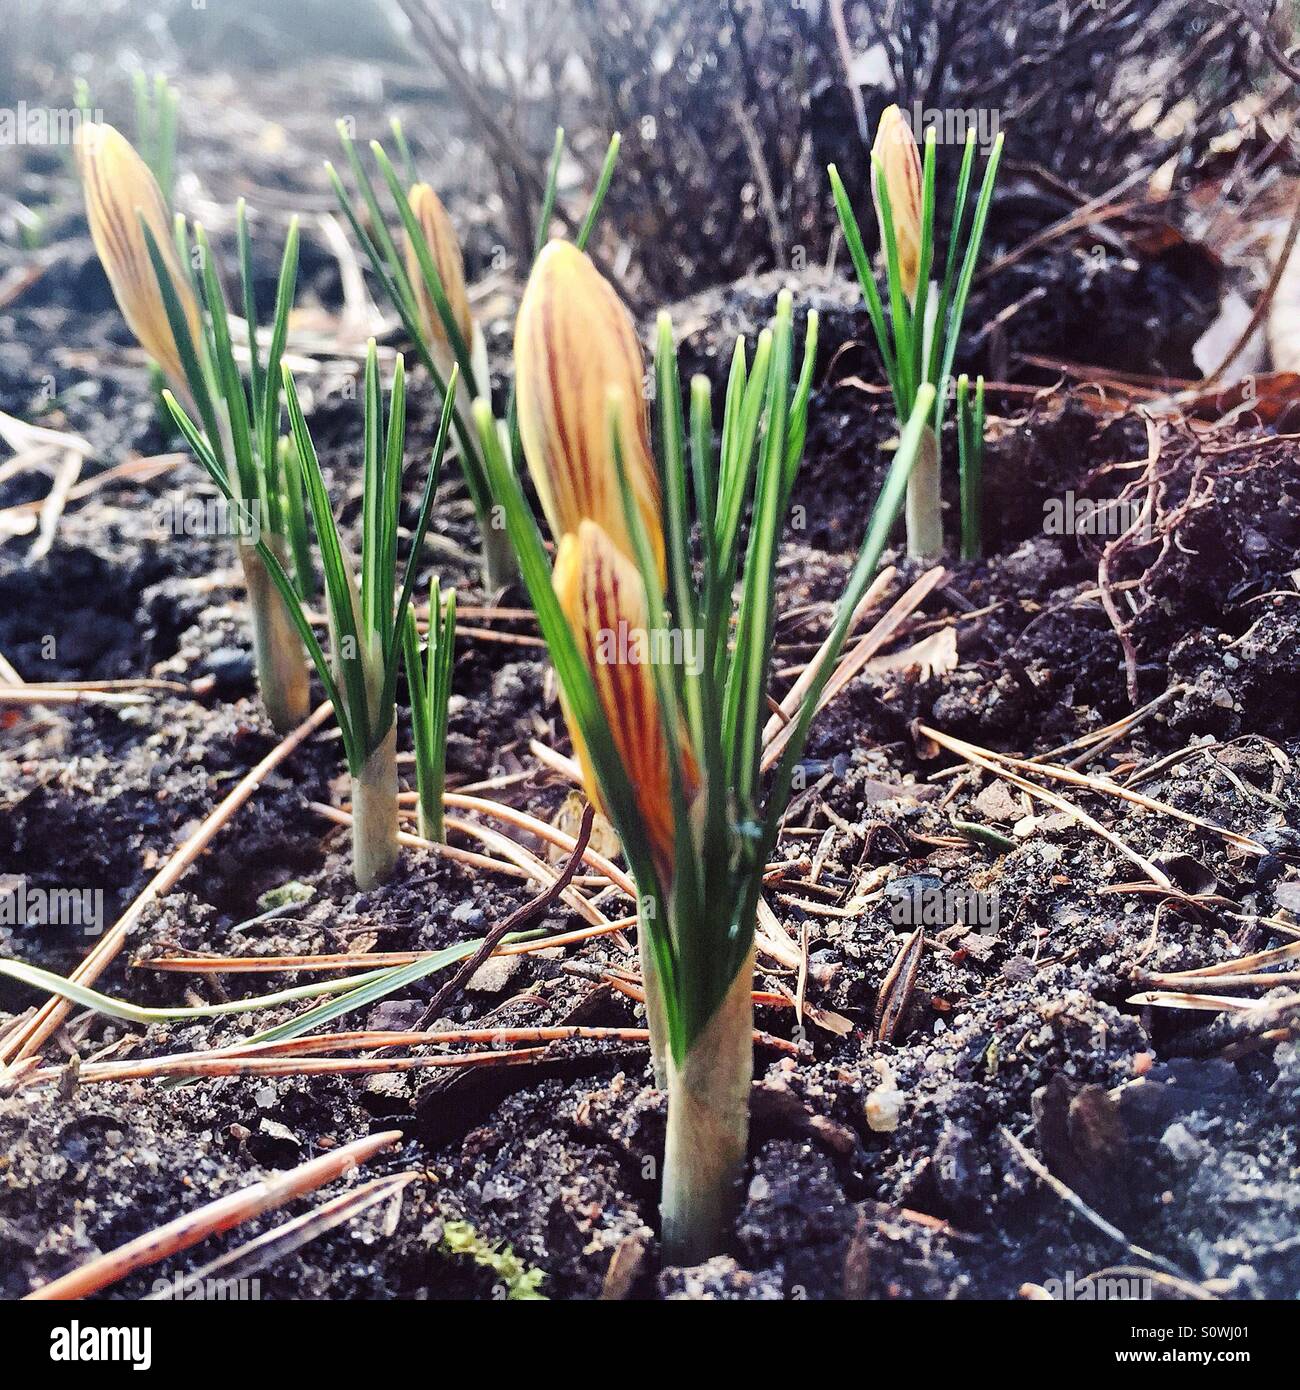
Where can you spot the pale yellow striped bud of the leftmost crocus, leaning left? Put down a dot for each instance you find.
(122, 194)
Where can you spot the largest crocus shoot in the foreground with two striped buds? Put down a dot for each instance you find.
(668, 712)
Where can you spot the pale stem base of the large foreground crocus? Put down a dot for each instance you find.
(708, 1129)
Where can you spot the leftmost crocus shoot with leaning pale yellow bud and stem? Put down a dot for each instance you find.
(147, 256)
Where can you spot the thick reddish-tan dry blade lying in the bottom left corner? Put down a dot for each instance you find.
(225, 1214)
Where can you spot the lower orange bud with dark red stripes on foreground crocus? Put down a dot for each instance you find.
(604, 601)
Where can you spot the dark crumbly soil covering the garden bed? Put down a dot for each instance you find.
(877, 1170)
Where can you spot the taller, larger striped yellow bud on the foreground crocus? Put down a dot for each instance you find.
(576, 350)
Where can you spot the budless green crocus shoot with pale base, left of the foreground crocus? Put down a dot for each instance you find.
(366, 622)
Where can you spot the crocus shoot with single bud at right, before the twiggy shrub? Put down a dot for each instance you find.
(925, 320)
